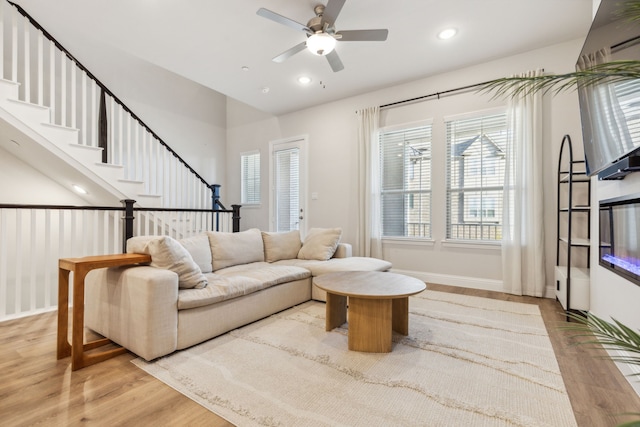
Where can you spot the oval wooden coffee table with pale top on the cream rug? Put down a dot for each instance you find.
(378, 305)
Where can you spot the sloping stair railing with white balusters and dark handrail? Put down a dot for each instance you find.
(50, 76)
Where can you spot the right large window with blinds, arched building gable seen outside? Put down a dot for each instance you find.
(475, 177)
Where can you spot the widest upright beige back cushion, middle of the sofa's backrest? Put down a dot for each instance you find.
(229, 249)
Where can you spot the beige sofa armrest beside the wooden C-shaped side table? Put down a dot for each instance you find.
(136, 307)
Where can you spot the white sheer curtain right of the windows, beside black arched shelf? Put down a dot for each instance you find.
(523, 257)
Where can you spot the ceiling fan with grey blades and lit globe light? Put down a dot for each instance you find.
(322, 34)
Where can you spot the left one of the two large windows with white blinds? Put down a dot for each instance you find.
(405, 170)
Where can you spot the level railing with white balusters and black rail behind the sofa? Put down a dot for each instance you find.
(34, 237)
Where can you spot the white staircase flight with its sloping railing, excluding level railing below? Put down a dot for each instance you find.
(67, 124)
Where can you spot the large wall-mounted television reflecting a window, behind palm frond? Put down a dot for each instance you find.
(610, 111)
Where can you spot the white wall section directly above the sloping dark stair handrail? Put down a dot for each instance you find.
(189, 117)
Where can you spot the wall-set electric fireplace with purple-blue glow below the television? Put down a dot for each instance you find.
(620, 236)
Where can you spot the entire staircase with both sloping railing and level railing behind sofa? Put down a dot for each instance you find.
(58, 118)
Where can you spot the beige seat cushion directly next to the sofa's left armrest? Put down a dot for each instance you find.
(219, 288)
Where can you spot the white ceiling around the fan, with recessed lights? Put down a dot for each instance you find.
(209, 41)
